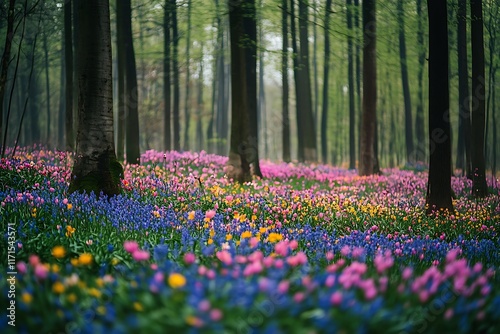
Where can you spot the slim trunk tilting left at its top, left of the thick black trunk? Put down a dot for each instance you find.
(406, 87)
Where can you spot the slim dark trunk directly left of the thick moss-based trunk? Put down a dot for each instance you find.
(68, 50)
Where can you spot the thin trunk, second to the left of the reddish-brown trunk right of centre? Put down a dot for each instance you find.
(326, 73)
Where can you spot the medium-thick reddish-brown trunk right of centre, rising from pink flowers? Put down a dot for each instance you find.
(368, 160)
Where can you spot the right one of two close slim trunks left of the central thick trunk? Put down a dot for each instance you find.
(176, 83)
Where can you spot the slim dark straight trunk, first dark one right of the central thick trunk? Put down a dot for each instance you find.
(285, 89)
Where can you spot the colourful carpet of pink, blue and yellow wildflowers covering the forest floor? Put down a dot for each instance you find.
(183, 249)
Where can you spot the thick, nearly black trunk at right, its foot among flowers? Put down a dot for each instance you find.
(439, 183)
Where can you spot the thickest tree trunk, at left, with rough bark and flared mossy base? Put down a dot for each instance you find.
(95, 168)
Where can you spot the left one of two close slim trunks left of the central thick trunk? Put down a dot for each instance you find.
(167, 124)
